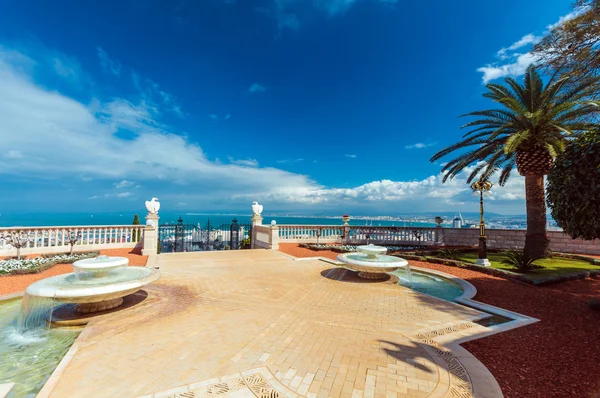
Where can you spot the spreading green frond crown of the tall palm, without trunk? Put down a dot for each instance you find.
(530, 115)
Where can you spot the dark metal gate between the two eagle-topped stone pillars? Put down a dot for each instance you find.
(182, 237)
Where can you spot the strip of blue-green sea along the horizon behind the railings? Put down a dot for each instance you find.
(126, 218)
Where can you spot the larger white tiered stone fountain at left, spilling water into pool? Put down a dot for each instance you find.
(97, 284)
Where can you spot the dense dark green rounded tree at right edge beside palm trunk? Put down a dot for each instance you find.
(574, 188)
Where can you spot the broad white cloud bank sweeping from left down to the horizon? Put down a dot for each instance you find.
(47, 136)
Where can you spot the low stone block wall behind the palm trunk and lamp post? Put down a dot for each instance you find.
(514, 238)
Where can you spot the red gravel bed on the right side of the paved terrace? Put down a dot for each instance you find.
(557, 357)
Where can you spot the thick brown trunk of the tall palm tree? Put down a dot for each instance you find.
(536, 239)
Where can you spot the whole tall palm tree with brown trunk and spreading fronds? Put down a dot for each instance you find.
(529, 131)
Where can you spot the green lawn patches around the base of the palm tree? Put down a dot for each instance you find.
(556, 266)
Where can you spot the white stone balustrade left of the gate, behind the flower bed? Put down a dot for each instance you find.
(55, 239)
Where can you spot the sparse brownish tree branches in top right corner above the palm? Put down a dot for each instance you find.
(573, 47)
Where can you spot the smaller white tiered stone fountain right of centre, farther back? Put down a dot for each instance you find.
(371, 262)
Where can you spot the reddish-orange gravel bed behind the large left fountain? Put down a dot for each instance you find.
(18, 283)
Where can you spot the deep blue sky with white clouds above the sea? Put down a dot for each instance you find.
(333, 105)
